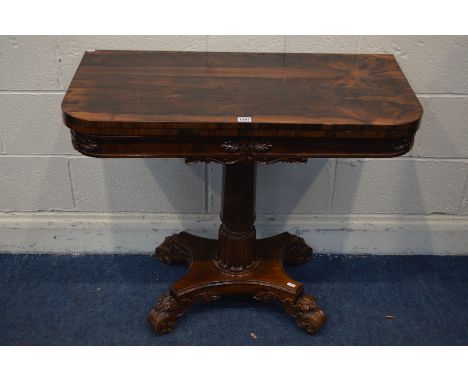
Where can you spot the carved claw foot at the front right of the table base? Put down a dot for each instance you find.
(308, 316)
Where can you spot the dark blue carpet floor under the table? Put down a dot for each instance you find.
(104, 300)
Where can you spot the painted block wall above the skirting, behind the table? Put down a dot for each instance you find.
(40, 171)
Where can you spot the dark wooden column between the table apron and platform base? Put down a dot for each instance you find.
(236, 244)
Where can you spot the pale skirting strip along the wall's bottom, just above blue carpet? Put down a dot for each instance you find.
(125, 233)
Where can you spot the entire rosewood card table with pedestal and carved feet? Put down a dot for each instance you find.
(239, 109)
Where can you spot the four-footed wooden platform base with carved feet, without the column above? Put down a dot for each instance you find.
(205, 281)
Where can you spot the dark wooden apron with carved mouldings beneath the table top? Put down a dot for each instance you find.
(228, 149)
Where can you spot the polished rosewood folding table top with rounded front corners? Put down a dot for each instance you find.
(270, 95)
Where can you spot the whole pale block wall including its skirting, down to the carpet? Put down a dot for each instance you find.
(54, 199)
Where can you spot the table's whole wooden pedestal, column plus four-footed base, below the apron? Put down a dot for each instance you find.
(236, 263)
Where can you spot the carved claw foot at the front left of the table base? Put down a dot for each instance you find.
(162, 318)
